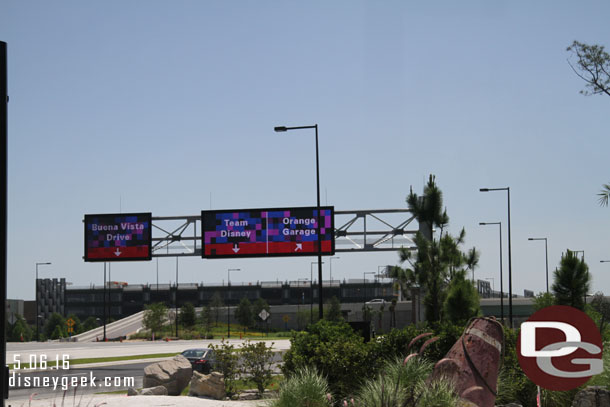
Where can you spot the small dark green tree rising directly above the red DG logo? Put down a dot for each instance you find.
(572, 281)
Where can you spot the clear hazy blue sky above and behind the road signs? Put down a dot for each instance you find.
(169, 107)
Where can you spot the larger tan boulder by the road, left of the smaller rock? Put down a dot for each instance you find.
(173, 374)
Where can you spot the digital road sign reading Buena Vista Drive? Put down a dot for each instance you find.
(118, 237)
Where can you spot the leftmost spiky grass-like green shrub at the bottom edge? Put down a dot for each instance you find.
(305, 388)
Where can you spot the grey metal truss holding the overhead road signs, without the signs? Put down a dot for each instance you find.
(370, 230)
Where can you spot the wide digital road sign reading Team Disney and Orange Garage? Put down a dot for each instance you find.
(267, 232)
